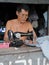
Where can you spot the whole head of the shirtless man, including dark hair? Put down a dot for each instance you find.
(22, 13)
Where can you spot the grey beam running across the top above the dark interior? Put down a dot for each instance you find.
(27, 1)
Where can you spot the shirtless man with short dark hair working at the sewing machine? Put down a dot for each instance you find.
(20, 24)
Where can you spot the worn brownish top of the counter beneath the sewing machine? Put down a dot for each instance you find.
(14, 50)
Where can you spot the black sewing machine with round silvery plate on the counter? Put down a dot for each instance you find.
(15, 38)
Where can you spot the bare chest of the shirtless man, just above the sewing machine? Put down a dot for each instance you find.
(19, 28)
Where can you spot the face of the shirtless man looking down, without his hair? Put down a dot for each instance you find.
(23, 15)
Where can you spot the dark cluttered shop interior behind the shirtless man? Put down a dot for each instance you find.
(37, 16)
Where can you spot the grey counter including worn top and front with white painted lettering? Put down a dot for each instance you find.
(22, 56)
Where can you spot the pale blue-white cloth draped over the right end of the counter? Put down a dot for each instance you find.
(44, 45)
